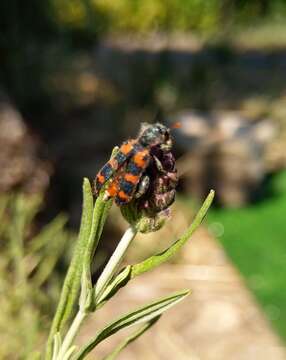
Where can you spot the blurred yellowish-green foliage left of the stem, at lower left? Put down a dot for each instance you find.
(28, 293)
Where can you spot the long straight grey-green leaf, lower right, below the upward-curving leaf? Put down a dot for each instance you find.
(143, 314)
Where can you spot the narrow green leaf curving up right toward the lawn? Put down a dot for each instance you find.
(156, 260)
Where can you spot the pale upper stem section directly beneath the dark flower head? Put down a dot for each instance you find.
(114, 261)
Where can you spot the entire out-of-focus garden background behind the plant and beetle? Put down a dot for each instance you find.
(77, 77)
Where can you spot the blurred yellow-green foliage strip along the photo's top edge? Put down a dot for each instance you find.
(163, 15)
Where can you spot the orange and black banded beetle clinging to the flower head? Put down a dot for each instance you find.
(125, 170)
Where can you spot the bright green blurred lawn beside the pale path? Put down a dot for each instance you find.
(254, 238)
